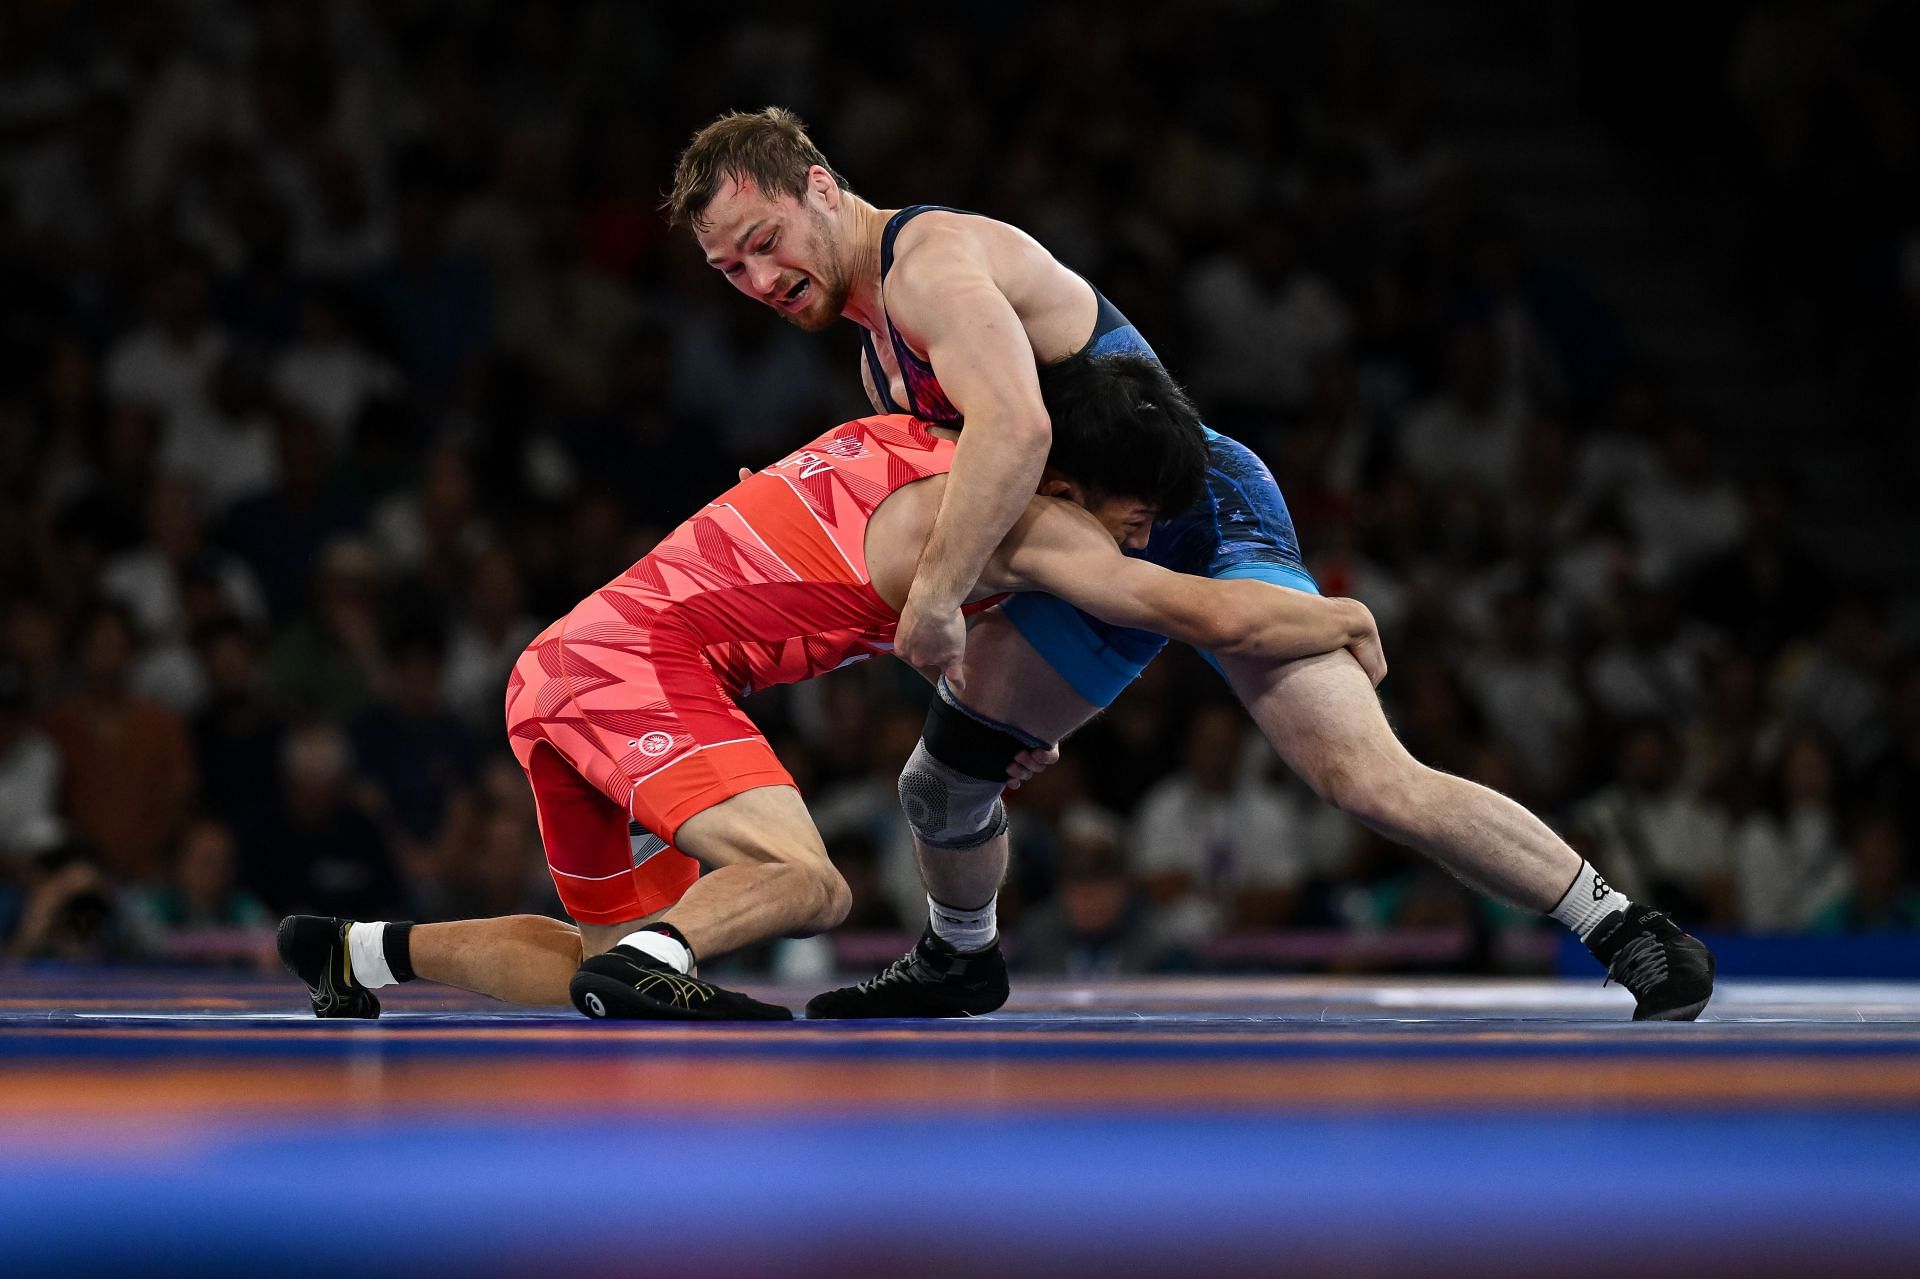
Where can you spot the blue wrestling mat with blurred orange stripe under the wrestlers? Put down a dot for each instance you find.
(178, 1126)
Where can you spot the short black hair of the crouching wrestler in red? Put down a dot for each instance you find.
(1124, 429)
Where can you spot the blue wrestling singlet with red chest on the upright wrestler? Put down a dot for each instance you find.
(1239, 529)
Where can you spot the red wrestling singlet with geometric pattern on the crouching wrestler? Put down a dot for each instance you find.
(627, 706)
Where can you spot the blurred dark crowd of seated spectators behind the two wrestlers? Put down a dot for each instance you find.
(345, 349)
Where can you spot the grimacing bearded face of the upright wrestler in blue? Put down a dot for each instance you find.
(780, 251)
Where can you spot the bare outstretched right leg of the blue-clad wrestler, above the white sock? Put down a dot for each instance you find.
(1326, 721)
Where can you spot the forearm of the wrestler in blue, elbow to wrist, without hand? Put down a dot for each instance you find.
(990, 487)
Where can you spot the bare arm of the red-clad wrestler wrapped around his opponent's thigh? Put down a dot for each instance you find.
(1061, 550)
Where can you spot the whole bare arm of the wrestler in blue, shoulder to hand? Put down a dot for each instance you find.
(944, 299)
